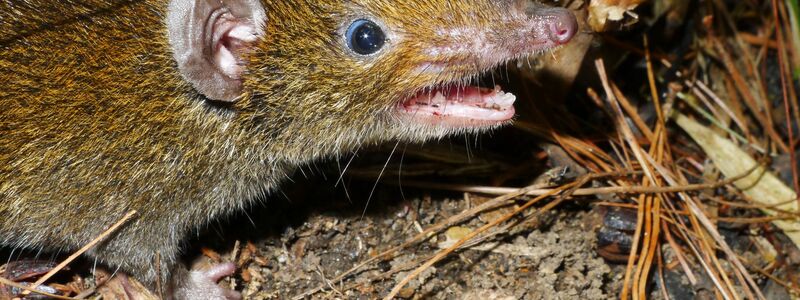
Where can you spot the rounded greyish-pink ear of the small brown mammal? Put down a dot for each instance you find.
(207, 39)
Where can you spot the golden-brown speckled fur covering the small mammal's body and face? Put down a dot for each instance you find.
(95, 120)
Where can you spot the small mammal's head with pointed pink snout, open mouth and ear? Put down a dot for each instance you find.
(328, 74)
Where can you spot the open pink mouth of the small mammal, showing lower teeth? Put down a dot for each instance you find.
(459, 106)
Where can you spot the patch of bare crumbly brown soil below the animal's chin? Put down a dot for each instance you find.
(553, 259)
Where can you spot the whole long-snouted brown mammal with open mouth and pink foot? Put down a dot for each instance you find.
(188, 110)
